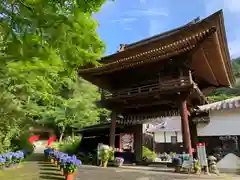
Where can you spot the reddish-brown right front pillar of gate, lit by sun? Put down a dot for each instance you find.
(185, 127)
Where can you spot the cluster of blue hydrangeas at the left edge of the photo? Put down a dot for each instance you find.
(11, 159)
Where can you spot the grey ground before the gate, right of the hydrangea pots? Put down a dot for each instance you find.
(97, 173)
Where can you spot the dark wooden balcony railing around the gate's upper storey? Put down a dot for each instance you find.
(146, 89)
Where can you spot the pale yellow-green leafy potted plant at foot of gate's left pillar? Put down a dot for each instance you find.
(106, 153)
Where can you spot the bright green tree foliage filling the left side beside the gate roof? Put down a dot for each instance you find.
(42, 45)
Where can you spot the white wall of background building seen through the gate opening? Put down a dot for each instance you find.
(159, 137)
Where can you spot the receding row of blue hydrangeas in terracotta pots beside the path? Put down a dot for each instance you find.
(67, 164)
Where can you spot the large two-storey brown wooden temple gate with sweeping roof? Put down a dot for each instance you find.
(164, 75)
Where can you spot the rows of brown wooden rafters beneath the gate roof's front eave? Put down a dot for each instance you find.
(179, 46)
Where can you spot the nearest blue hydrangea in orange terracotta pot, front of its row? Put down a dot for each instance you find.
(70, 167)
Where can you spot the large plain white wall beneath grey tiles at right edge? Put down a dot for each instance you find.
(221, 123)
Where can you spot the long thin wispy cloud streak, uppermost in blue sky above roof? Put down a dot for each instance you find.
(148, 12)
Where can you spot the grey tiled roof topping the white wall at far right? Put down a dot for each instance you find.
(221, 105)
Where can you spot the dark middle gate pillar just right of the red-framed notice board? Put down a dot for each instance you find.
(138, 142)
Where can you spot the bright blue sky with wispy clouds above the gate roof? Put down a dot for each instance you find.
(127, 21)
